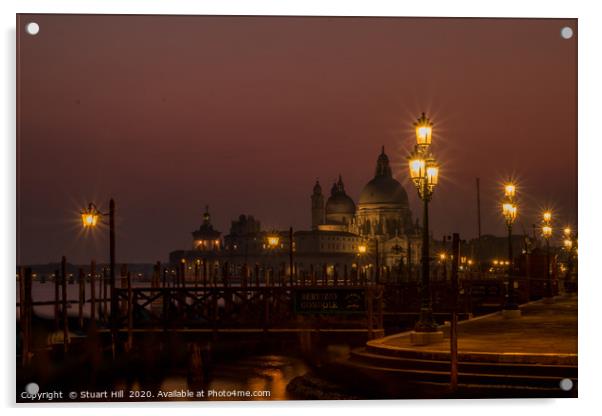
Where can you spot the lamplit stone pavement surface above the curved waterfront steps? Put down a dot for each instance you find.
(546, 333)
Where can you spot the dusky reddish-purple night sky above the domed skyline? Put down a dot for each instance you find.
(168, 114)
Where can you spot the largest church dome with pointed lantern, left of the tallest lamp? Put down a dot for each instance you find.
(383, 189)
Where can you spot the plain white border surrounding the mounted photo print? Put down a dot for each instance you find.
(590, 71)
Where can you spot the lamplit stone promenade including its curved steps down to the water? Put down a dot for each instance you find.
(497, 357)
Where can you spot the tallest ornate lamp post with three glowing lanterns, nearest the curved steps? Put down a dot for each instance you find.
(424, 172)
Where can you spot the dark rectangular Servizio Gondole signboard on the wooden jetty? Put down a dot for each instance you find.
(330, 300)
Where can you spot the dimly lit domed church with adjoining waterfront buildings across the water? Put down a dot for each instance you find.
(375, 237)
